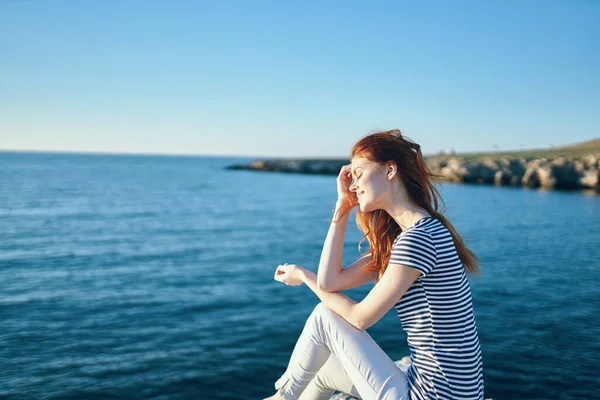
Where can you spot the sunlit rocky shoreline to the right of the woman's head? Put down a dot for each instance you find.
(551, 173)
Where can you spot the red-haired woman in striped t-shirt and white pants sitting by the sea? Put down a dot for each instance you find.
(418, 262)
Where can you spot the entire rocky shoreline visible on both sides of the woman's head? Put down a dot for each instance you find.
(550, 172)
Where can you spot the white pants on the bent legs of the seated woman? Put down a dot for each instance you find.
(331, 355)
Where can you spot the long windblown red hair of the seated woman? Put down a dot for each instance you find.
(379, 228)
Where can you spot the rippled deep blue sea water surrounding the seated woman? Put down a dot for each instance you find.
(146, 277)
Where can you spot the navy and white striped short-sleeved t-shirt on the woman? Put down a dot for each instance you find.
(436, 312)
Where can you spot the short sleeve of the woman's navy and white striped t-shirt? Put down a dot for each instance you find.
(415, 249)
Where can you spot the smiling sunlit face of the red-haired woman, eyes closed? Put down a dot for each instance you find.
(370, 182)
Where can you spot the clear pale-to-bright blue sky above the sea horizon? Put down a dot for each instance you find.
(302, 78)
